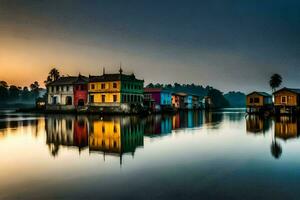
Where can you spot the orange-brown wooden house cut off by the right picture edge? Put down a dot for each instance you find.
(287, 101)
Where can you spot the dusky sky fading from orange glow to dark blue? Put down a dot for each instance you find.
(231, 44)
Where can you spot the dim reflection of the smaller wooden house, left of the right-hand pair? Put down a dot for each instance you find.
(257, 124)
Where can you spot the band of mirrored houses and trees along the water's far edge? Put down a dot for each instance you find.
(116, 136)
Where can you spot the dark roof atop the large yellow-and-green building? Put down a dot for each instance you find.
(113, 77)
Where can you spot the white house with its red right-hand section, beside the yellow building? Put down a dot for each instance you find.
(67, 93)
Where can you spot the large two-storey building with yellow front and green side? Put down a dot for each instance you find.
(115, 90)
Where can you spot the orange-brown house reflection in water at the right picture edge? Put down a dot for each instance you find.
(286, 127)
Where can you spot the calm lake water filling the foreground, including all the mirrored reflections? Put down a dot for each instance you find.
(192, 155)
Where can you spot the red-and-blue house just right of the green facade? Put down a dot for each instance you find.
(157, 98)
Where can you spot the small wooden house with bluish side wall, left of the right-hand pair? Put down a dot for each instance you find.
(258, 102)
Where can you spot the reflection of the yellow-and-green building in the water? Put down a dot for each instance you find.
(115, 136)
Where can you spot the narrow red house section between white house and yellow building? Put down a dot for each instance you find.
(80, 91)
